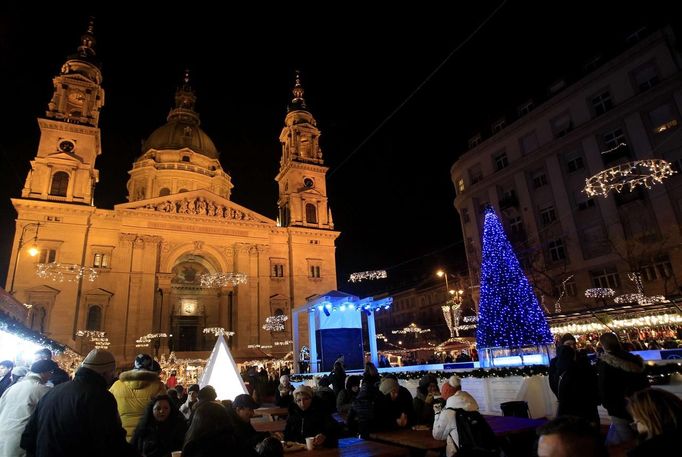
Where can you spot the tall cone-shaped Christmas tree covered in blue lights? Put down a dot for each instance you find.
(509, 313)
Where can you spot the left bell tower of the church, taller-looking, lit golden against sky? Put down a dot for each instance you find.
(64, 166)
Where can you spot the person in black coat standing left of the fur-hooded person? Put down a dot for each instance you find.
(577, 386)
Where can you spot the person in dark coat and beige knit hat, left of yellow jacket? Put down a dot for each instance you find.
(79, 417)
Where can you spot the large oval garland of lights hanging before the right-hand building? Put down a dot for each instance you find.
(628, 176)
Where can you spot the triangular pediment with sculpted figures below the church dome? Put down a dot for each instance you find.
(199, 203)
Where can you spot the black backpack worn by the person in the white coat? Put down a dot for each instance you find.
(476, 438)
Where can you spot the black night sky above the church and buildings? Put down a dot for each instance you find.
(389, 184)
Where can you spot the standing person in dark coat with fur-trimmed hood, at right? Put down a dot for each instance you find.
(619, 375)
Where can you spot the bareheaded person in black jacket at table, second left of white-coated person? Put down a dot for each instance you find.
(393, 409)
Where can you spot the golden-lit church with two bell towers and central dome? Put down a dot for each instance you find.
(137, 269)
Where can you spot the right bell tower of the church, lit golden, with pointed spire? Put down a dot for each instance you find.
(302, 174)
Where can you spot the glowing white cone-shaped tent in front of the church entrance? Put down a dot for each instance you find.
(221, 372)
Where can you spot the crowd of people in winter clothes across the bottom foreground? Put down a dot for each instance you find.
(44, 413)
